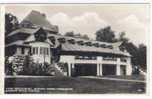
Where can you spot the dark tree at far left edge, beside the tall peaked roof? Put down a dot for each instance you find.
(11, 23)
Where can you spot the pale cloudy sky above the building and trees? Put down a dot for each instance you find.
(133, 19)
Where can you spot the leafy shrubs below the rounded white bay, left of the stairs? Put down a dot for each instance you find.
(24, 65)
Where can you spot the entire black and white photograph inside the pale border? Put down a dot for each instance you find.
(76, 48)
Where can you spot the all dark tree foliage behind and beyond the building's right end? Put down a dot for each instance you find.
(138, 53)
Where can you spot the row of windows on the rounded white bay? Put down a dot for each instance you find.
(40, 50)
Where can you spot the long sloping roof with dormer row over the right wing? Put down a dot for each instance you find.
(109, 47)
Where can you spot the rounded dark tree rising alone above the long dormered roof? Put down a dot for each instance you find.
(105, 35)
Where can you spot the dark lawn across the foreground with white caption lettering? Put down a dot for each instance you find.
(73, 85)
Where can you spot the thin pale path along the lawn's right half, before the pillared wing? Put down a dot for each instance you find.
(117, 79)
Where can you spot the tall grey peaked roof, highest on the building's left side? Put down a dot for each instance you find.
(39, 19)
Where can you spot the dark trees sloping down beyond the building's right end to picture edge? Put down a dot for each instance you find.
(138, 53)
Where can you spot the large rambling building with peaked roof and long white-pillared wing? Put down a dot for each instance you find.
(41, 40)
